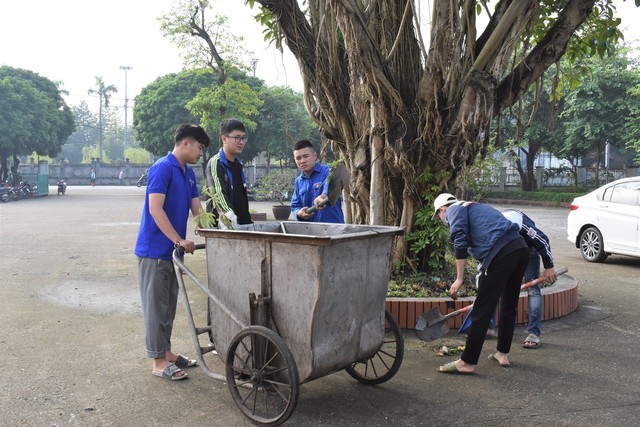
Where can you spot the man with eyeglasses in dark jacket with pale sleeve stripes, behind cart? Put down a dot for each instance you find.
(227, 180)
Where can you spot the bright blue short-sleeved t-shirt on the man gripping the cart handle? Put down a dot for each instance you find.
(179, 186)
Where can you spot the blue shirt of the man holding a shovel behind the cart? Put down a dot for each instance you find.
(307, 188)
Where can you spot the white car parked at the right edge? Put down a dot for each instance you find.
(607, 220)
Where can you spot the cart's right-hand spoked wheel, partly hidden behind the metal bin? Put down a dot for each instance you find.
(383, 365)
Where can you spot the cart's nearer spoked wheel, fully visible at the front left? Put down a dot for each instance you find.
(262, 376)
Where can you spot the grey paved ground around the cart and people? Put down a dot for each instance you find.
(72, 346)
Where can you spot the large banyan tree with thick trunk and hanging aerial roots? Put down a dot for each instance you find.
(405, 90)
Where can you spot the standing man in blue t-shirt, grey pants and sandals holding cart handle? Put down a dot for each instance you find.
(172, 191)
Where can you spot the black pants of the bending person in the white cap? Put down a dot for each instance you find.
(501, 283)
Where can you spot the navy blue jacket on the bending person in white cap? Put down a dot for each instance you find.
(479, 230)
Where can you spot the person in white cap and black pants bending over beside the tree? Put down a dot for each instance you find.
(482, 232)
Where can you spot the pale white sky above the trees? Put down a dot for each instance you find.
(73, 41)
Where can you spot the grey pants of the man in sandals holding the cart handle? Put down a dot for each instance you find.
(159, 294)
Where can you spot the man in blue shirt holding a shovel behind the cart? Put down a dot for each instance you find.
(311, 187)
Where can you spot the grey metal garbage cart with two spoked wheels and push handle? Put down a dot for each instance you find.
(293, 301)
